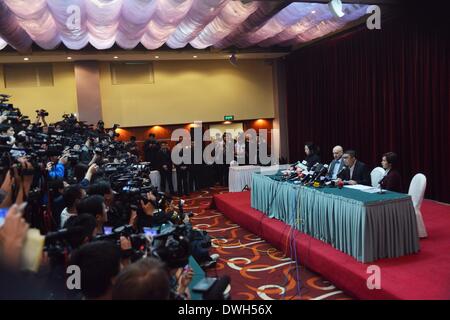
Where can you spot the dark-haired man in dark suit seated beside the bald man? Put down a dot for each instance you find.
(356, 172)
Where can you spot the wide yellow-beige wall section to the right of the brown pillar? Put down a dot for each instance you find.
(186, 91)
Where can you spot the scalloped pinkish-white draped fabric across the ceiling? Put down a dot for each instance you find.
(153, 23)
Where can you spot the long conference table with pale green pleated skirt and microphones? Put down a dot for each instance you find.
(367, 226)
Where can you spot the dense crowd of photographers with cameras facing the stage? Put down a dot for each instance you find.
(72, 196)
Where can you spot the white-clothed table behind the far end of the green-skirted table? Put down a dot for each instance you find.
(241, 176)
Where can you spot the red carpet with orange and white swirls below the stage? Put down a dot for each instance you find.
(257, 270)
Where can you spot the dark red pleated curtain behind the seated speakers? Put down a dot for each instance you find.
(376, 91)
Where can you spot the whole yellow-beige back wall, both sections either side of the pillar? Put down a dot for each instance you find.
(183, 91)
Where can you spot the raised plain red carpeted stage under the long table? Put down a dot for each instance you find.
(425, 275)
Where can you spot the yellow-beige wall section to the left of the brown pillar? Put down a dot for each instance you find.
(57, 99)
